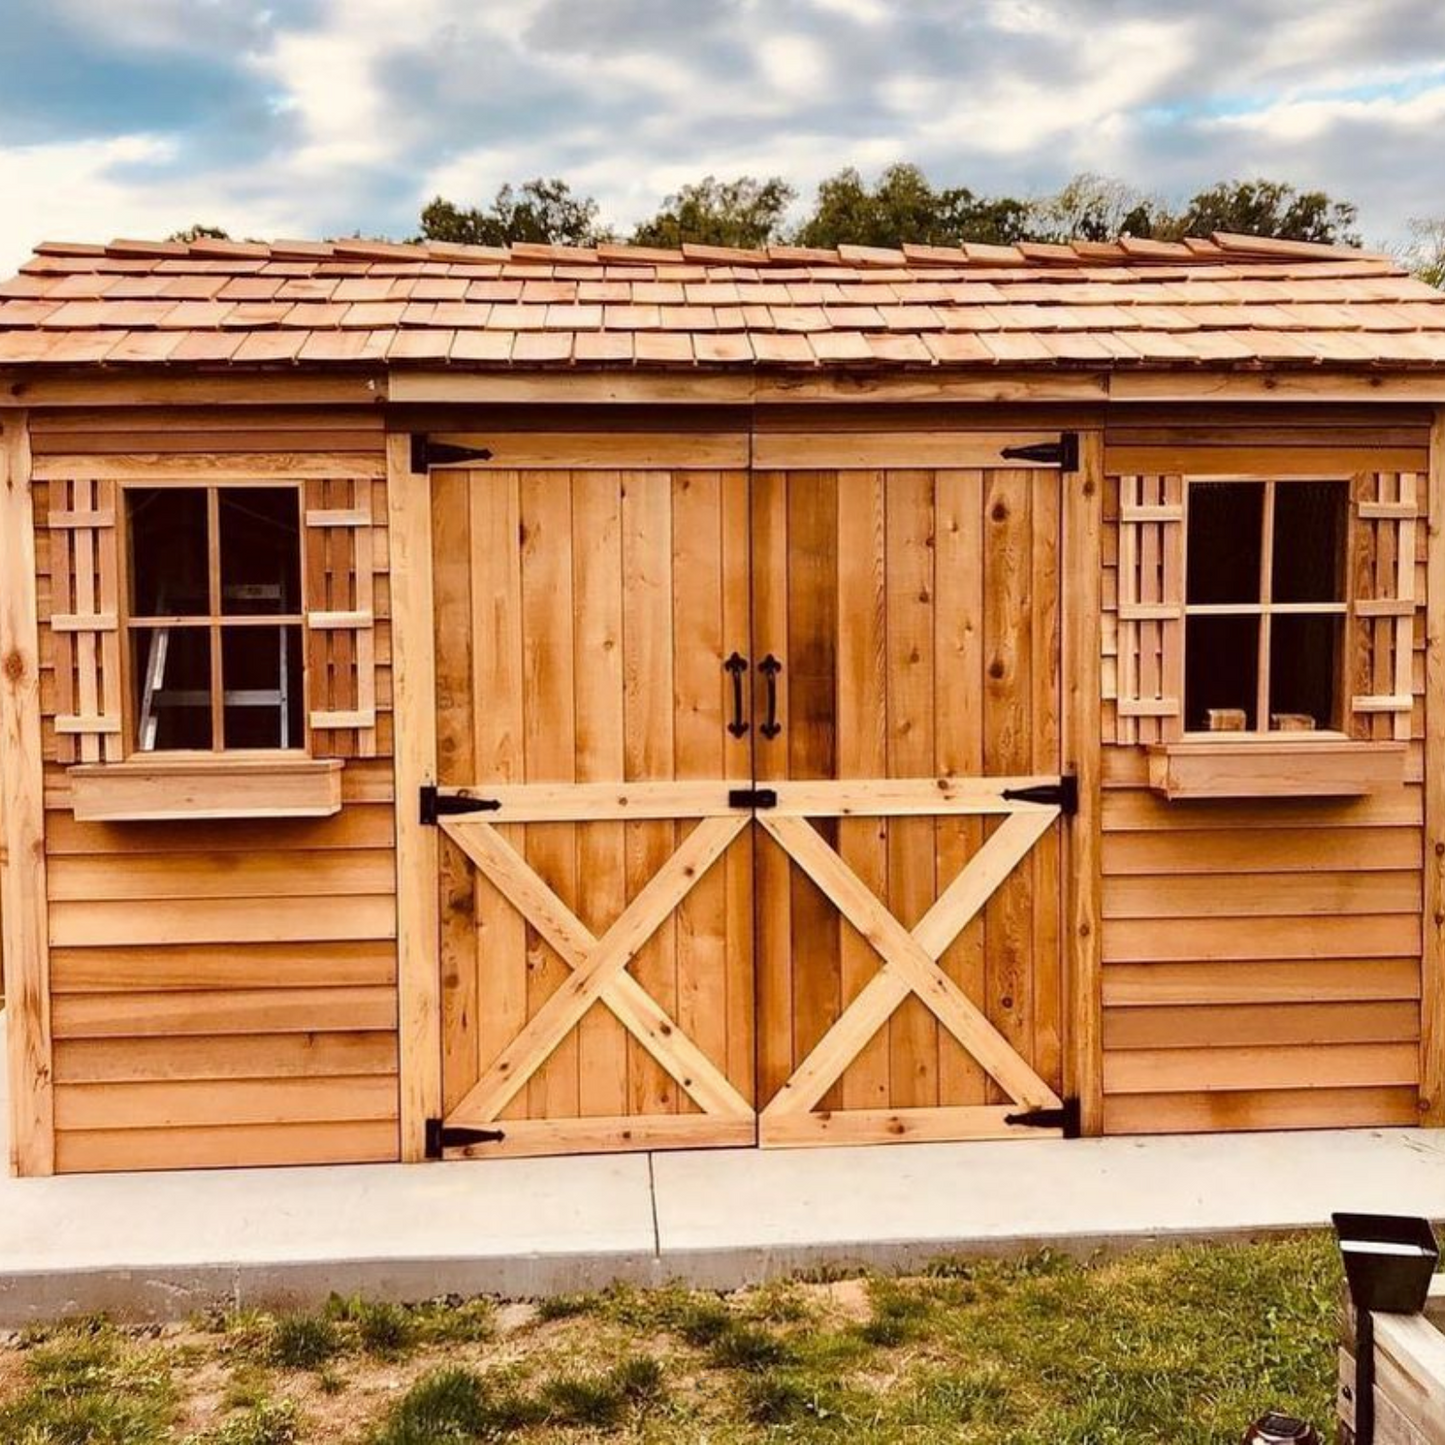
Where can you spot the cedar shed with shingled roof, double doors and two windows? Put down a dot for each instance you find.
(479, 703)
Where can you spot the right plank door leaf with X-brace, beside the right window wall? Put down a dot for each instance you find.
(910, 872)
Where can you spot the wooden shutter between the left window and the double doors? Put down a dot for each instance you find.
(342, 618)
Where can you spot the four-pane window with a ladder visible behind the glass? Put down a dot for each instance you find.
(215, 618)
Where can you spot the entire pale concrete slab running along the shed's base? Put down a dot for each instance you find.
(165, 1245)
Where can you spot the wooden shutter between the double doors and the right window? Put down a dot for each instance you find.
(1151, 609)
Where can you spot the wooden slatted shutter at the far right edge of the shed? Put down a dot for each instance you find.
(1382, 603)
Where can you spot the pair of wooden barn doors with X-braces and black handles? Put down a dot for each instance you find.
(748, 795)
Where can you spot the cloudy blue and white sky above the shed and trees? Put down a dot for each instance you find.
(322, 118)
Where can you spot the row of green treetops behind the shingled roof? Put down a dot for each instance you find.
(901, 206)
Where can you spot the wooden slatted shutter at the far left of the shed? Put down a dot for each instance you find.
(85, 621)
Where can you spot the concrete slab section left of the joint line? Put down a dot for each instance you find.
(168, 1243)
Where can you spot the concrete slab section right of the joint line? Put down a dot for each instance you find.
(733, 1215)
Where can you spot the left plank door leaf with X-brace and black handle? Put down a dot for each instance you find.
(596, 881)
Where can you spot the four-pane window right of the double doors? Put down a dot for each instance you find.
(1265, 606)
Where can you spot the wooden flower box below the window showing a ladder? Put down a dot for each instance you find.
(157, 790)
